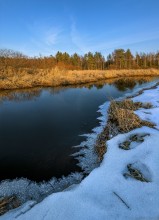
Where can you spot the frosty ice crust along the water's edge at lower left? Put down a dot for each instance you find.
(25, 189)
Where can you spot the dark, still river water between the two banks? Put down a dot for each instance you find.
(38, 127)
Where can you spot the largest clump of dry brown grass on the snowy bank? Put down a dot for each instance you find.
(121, 119)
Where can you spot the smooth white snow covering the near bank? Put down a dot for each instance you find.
(107, 193)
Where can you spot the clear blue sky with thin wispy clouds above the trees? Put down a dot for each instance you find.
(45, 26)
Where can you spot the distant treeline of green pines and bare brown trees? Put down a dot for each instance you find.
(119, 59)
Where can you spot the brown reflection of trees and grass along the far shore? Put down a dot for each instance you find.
(122, 84)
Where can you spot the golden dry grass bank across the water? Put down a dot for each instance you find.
(28, 78)
